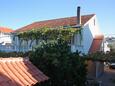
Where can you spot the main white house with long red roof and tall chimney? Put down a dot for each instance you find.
(91, 36)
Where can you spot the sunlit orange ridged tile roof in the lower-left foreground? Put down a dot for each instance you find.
(19, 72)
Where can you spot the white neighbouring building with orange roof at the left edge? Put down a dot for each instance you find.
(6, 39)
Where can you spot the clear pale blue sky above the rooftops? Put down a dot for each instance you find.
(18, 13)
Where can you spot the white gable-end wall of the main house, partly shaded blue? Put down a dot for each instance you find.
(90, 30)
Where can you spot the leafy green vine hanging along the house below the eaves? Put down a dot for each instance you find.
(50, 34)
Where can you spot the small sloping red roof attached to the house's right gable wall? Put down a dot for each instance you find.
(96, 44)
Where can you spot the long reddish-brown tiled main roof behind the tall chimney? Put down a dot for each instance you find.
(71, 21)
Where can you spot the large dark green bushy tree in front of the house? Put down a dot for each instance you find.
(59, 64)
